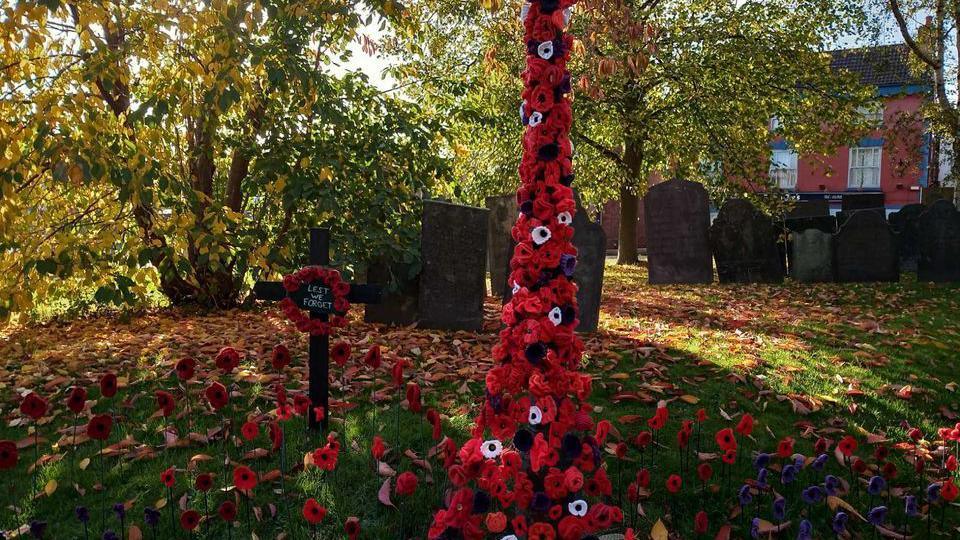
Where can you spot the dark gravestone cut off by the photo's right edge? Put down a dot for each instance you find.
(939, 253)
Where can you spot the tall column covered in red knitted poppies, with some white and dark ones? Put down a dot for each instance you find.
(535, 448)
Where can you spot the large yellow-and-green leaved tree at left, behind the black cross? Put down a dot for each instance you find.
(182, 143)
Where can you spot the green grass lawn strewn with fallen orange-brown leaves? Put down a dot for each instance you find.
(806, 361)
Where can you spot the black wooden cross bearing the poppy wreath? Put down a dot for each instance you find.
(319, 360)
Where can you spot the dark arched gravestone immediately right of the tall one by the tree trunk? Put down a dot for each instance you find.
(744, 243)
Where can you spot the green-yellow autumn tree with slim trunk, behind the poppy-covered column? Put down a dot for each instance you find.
(662, 86)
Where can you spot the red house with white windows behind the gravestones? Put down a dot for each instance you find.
(893, 159)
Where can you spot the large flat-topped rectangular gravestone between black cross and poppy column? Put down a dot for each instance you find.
(453, 248)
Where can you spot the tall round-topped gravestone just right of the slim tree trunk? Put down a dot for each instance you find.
(677, 215)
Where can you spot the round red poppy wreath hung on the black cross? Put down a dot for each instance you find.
(330, 278)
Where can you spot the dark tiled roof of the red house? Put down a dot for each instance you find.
(884, 65)
